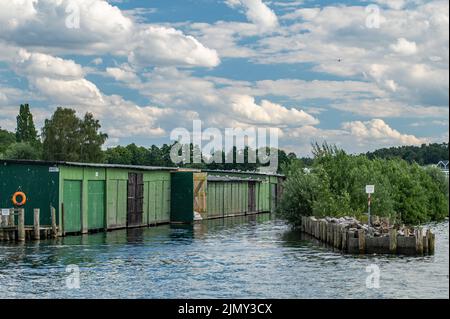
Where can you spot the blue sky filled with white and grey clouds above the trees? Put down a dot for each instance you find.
(360, 74)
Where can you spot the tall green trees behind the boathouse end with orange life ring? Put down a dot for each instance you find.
(65, 137)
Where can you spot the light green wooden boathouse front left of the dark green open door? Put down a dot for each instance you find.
(103, 202)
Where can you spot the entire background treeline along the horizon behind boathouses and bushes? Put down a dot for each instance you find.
(66, 137)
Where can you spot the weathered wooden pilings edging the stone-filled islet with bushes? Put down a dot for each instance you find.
(359, 241)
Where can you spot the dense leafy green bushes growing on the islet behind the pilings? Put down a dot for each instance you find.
(334, 186)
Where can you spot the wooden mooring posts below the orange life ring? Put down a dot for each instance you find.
(14, 229)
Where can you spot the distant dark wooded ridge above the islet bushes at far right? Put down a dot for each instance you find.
(425, 154)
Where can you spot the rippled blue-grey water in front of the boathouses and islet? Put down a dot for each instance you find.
(256, 257)
